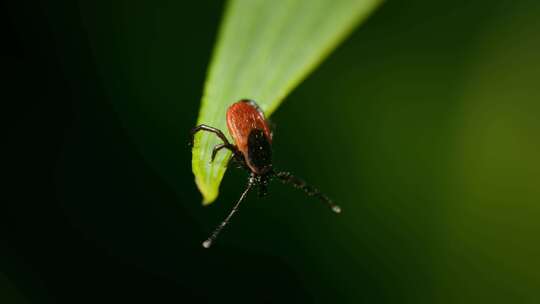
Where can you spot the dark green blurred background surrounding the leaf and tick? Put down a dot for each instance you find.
(424, 126)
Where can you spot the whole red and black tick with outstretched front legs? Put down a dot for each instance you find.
(252, 150)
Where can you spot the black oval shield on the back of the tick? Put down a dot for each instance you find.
(259, 152)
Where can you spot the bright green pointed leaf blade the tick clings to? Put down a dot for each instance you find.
(265, 48)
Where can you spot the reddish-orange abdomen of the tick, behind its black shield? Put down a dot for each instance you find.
(242, 118)
